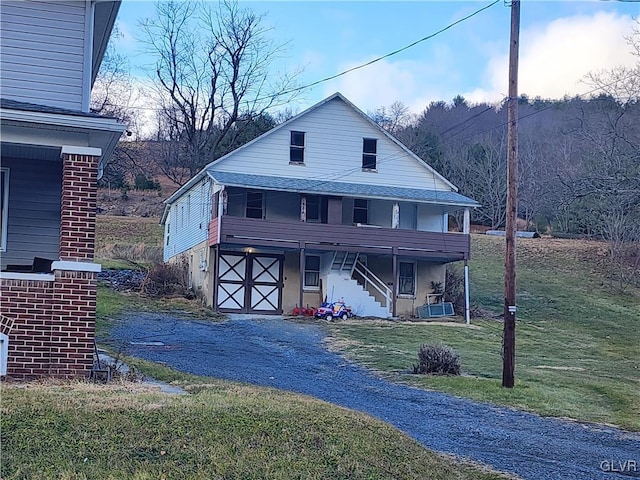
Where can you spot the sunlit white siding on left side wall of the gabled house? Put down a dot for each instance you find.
(188, 220)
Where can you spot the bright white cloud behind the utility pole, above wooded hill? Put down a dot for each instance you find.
(554, 58)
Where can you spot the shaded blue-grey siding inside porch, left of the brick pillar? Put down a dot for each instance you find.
(33, 228)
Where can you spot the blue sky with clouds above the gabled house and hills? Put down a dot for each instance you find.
(560, 42)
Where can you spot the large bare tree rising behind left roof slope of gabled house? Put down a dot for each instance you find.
(212, 67)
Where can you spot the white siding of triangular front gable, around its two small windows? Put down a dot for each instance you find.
(333, 151)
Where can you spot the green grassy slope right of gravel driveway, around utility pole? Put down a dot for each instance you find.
(578, 344)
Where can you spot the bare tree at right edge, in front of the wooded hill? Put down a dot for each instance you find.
(612, 184)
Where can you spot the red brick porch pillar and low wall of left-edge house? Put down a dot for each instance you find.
(51, 323)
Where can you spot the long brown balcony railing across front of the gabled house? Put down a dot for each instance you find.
(228, 230)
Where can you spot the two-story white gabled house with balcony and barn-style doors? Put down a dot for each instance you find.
(327, 205)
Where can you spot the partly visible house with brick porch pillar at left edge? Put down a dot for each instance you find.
(53, 149)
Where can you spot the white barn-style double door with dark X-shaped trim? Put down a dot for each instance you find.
(250, 282)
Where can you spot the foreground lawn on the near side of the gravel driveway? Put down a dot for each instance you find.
(220, 430)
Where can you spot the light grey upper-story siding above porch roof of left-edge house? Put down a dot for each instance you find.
(43, 52)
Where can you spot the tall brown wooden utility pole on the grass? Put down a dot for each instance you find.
(509, 334)
